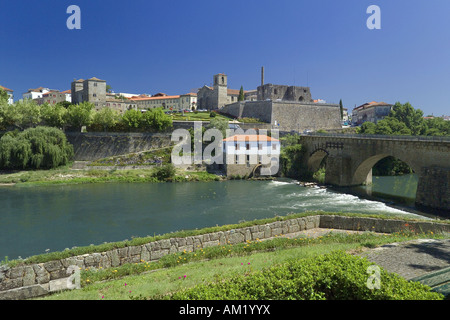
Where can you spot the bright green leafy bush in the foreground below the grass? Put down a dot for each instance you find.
(334, 276)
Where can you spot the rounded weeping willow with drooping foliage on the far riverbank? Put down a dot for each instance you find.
(34, 148)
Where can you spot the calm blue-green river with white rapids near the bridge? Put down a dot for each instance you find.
(52, 218)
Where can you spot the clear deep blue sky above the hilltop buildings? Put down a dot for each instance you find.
(172, 46)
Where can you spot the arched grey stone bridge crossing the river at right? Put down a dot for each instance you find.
(350, 158)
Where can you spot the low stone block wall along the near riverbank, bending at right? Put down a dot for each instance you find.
(23, 282)
